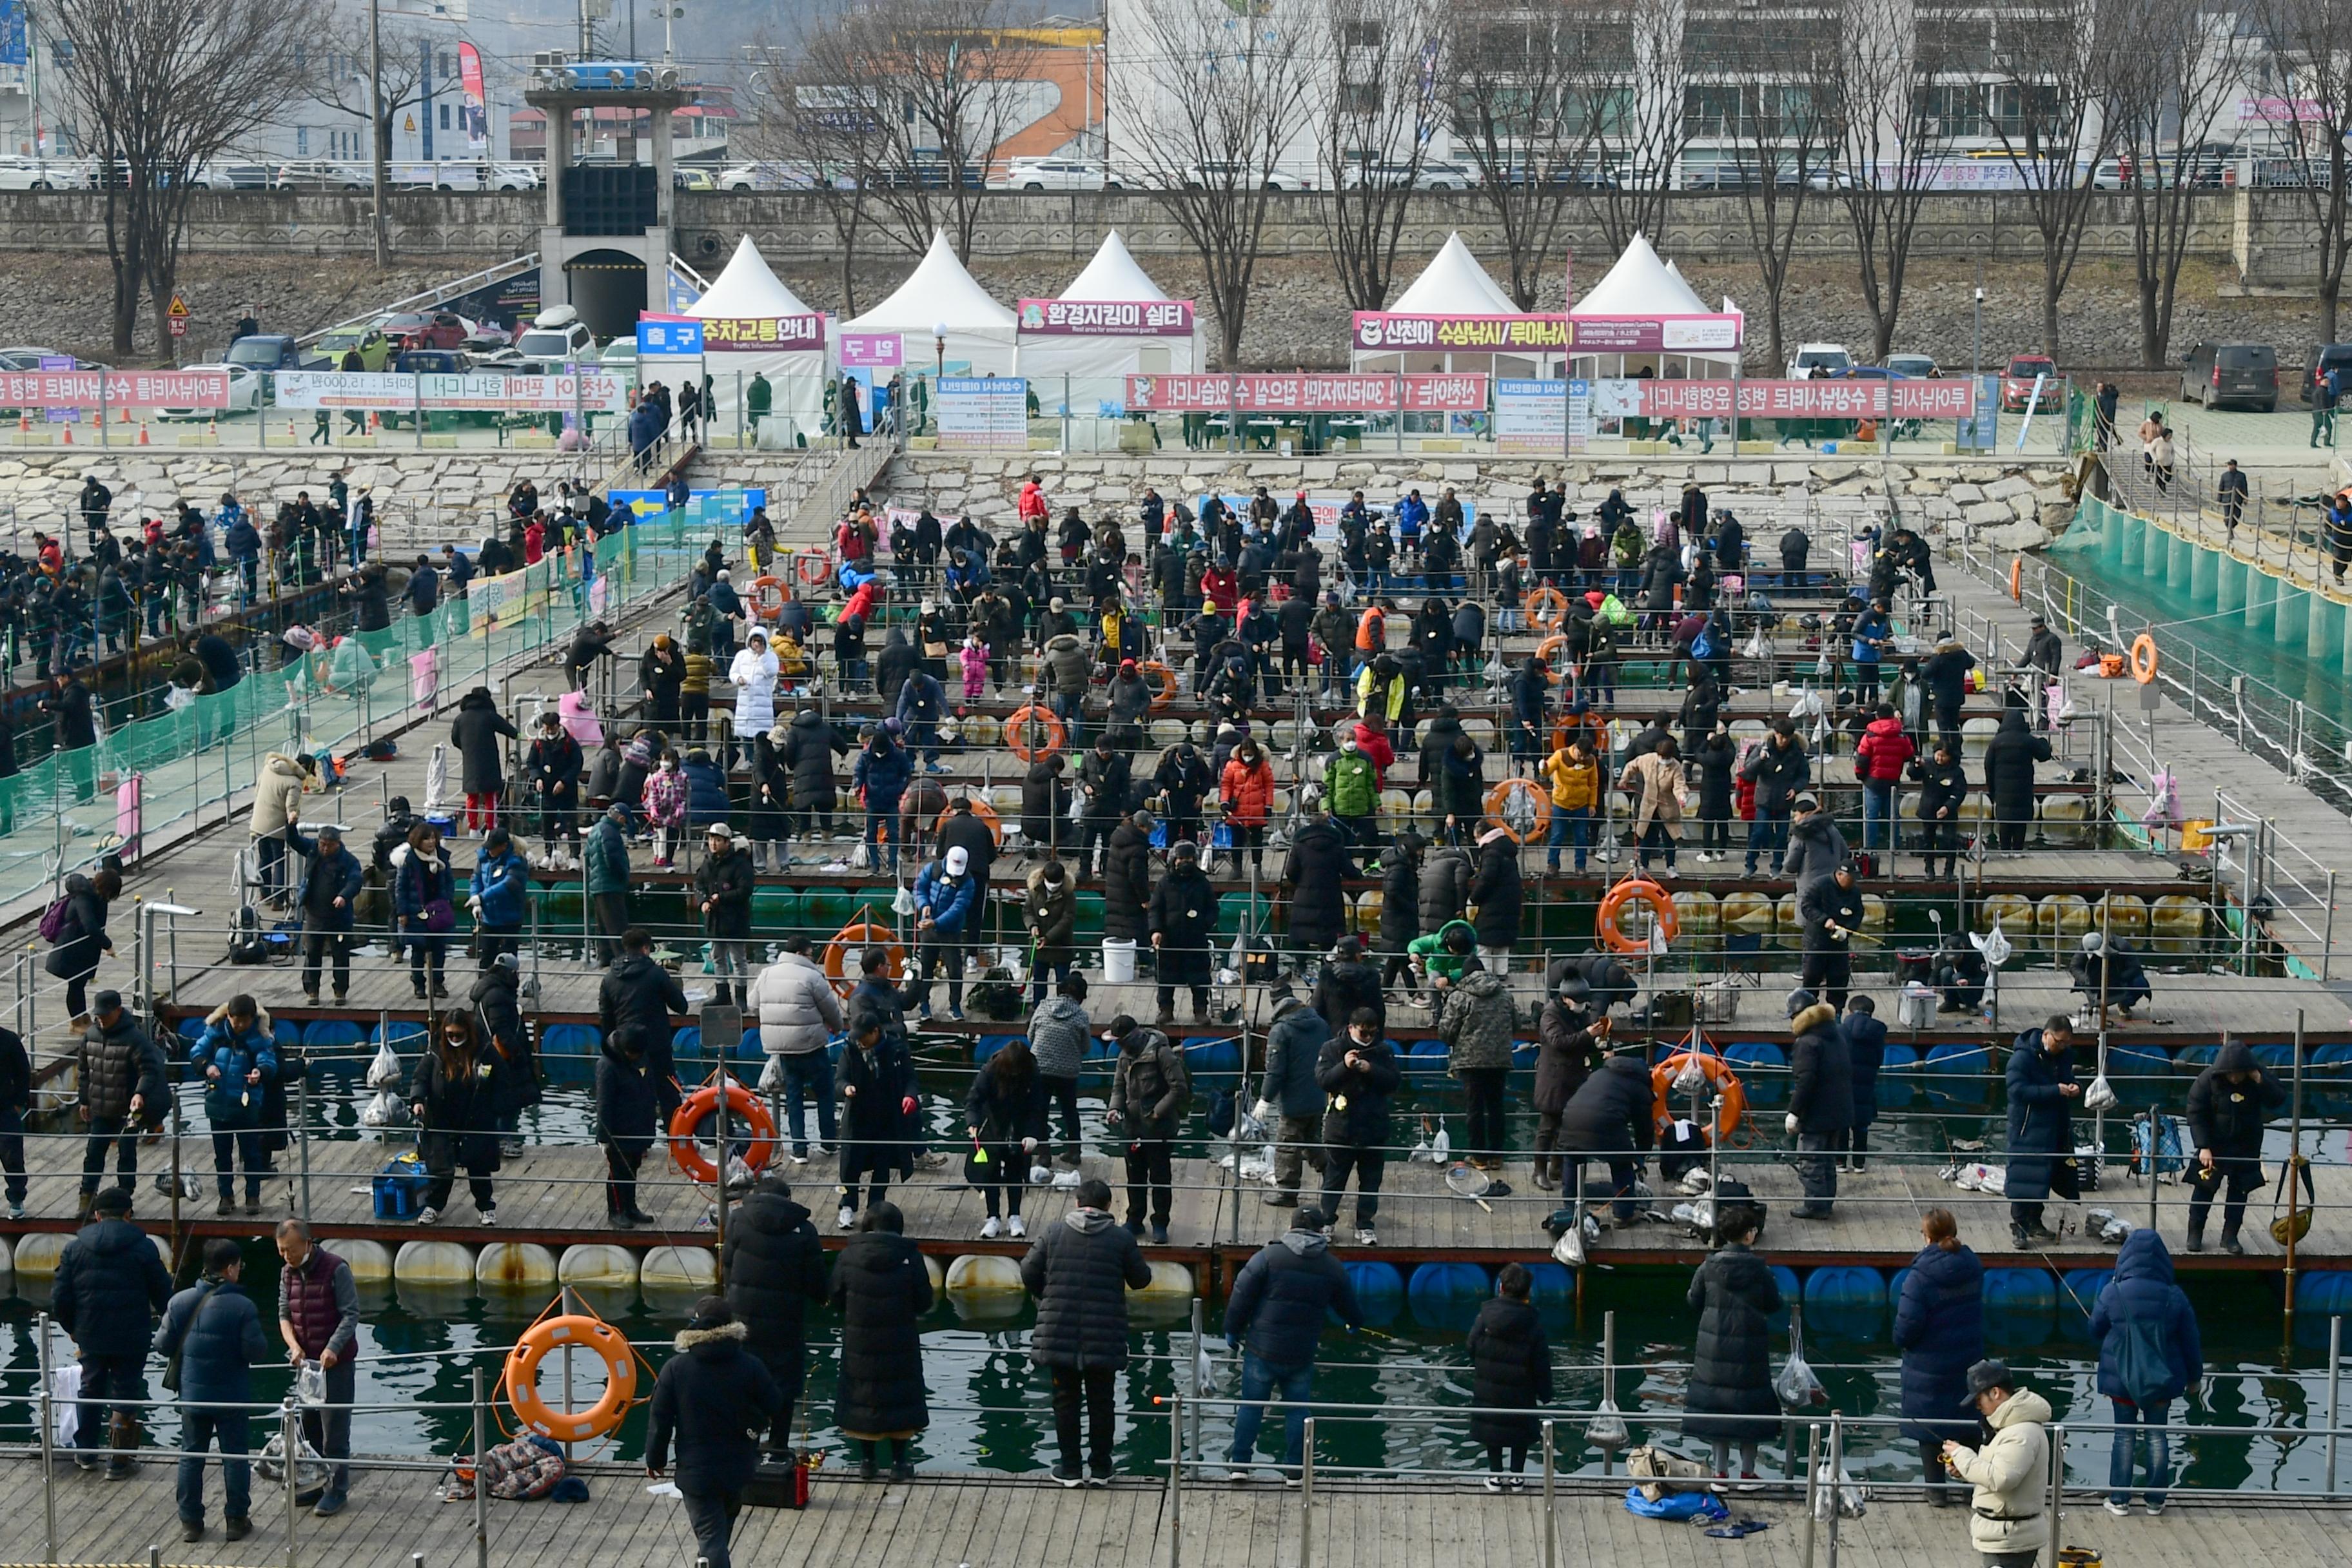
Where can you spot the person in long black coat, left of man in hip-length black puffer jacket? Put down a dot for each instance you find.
(881, 1289)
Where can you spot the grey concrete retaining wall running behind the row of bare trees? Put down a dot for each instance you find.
(794, 229)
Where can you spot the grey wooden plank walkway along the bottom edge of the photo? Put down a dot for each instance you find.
(987, 1522)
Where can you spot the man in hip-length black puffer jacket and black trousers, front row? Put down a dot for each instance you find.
(1081, 1275)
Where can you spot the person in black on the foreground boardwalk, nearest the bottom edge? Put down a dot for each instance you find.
(714, 1400)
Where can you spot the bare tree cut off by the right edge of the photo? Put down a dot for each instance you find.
(2308, 39)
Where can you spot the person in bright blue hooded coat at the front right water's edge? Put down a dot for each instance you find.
(2149, 1358)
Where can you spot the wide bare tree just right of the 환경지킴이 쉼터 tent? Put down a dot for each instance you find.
(1205, 105)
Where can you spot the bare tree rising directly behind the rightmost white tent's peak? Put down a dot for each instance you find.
(1626, 102)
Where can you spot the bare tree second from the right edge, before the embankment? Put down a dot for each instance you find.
(2170, 91)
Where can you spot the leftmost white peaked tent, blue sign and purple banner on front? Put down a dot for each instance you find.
(737, 347)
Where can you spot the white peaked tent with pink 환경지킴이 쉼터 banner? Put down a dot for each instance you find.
(1125, 337)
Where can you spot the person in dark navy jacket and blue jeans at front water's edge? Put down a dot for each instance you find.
(1276, 1318)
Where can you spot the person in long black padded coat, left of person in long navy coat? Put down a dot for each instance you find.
(1730, 1398)
